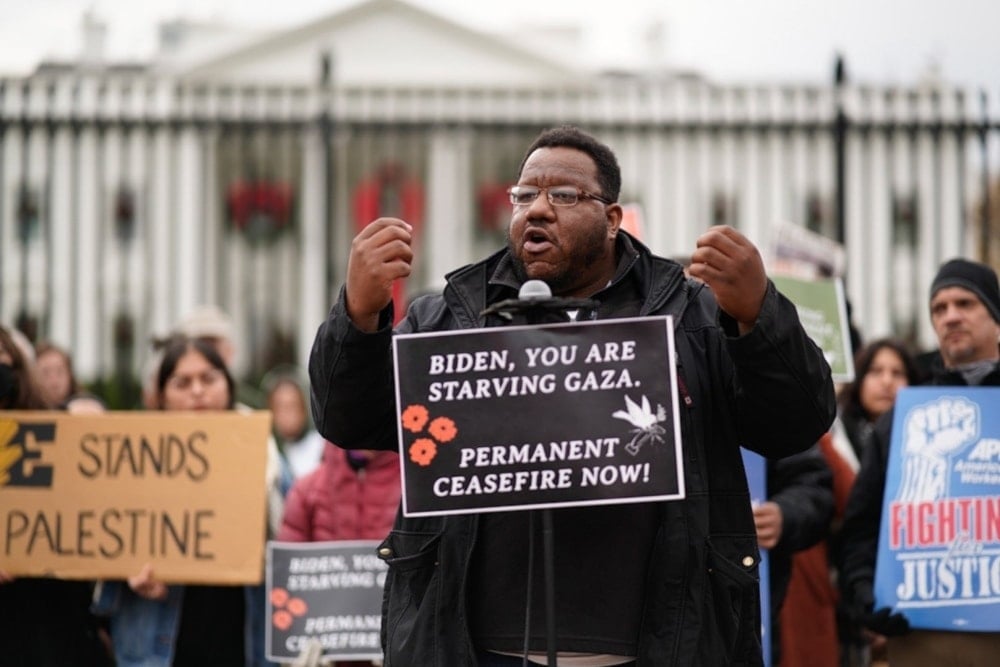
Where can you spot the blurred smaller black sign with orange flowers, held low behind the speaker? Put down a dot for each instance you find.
(330, 592)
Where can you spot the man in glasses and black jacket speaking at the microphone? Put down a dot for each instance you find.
(646, 584)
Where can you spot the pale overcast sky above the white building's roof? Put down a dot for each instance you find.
(884, 41)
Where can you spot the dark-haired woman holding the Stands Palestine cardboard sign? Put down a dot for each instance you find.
(156, 624)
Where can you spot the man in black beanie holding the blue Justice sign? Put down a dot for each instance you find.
(965, 313)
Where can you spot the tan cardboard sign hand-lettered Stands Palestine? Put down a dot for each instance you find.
(98, 496)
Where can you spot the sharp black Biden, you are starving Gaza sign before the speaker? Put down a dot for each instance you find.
(538, 416)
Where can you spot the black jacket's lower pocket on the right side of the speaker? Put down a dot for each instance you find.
(735, 597)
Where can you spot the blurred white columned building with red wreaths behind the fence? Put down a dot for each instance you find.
(234, 169)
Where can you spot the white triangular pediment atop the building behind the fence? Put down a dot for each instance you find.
(383, 43)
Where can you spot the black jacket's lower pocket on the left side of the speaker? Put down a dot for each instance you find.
(409, 598)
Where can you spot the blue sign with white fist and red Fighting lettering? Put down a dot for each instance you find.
(939, 541)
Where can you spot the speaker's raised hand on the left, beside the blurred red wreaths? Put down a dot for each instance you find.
(380, 254)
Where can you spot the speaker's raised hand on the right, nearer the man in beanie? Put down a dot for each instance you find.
(731, 266)
